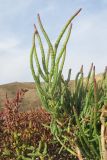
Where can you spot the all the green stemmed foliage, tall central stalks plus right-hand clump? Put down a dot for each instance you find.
(75, 114)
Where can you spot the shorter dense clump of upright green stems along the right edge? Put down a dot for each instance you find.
(89, 99)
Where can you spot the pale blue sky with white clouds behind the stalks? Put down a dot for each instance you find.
(87, 43)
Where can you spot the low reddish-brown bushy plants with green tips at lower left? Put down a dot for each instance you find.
(25, 136)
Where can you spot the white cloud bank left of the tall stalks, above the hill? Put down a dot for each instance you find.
(14, 61)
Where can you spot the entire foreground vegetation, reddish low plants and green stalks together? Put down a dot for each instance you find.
(72, 123)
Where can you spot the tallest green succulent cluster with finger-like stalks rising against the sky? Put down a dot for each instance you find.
(52, 91)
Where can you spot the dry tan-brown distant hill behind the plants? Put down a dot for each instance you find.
(31, 100)
